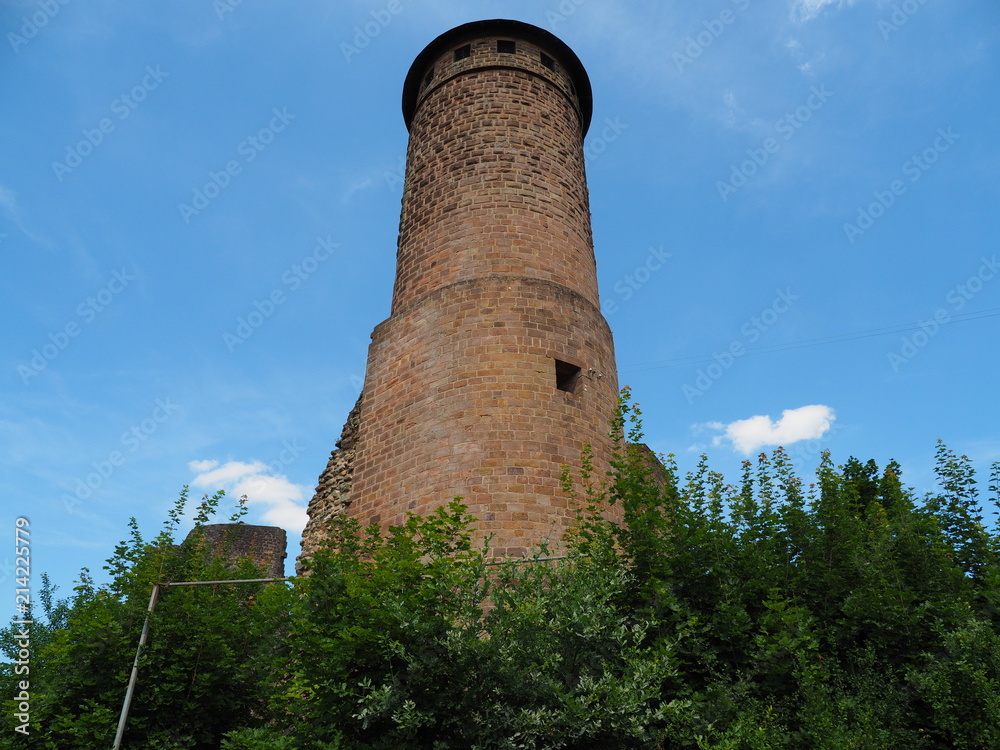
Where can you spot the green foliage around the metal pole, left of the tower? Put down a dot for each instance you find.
(206, 669)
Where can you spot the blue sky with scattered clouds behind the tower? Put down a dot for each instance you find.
(795, 210)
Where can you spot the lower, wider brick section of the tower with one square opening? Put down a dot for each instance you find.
(461, 400)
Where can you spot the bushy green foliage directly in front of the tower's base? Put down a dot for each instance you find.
(414, 640)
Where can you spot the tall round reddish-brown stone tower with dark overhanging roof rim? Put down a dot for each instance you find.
(495, 364)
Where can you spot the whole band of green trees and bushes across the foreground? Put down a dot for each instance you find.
(765, 614)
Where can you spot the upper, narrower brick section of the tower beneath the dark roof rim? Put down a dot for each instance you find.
(494, 180)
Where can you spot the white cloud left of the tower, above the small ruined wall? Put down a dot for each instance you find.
(276, 500)
